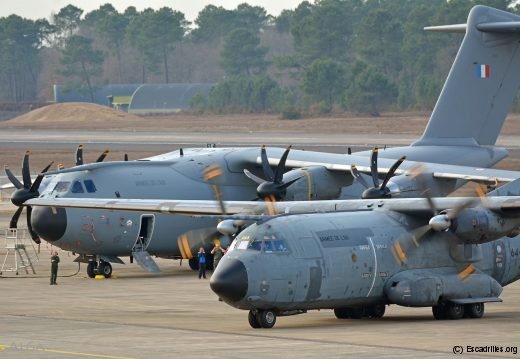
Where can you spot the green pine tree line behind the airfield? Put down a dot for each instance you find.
(326, 56)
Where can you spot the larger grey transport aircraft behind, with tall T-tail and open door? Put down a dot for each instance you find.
(458, 143)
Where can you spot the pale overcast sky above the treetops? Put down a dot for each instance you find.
(35, 9)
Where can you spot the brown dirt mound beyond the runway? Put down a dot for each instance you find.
(73, 112)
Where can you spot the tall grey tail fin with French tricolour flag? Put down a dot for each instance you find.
(482, 83)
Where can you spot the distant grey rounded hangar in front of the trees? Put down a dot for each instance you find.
(139, 98)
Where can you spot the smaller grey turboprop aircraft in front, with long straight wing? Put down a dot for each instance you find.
(357, 256)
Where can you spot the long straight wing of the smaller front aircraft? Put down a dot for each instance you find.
(234, 209)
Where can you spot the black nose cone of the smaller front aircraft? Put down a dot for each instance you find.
(229, 281)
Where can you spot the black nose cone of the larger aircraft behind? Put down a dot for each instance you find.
(49, 223)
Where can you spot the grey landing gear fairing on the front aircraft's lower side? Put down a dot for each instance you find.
(424, 288)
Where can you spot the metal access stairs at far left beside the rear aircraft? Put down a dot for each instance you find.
(16, 244)
